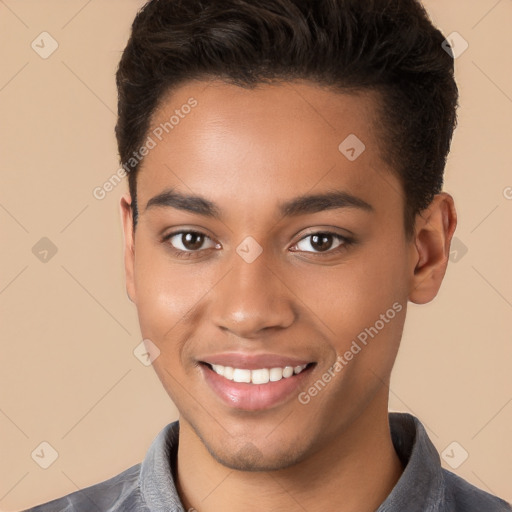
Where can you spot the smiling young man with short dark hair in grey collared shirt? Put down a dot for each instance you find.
(285, 164)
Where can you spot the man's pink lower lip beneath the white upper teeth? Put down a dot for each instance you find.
(254, 397)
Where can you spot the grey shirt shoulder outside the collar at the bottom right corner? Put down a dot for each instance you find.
(461, 496)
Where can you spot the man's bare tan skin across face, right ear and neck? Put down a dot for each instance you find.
(248, 151)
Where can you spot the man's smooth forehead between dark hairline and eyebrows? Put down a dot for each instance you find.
(257, 145)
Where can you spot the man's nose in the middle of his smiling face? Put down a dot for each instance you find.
(252, 298)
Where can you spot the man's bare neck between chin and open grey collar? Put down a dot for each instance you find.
(354, 473)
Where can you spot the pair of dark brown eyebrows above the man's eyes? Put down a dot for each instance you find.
(302, 205)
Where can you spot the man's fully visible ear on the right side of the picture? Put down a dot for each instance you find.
(434, 230)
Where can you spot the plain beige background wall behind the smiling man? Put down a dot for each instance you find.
(68, 375)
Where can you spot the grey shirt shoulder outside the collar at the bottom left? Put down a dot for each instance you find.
(120, 492)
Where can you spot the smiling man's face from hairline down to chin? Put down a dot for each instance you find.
(265, 254)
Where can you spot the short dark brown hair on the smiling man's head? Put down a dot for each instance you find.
(389, 46)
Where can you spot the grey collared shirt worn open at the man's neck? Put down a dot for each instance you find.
(149, 486)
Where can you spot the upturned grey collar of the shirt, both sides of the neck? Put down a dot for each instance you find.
(419, 489)
